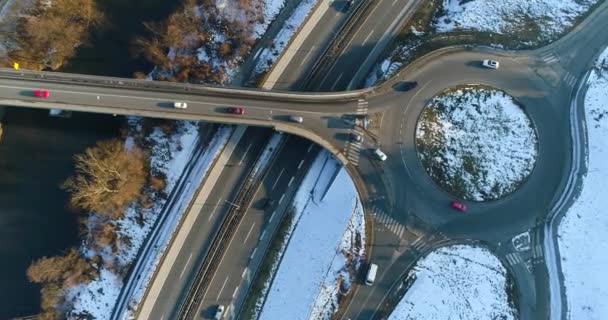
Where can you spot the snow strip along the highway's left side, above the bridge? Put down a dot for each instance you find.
(268, 56)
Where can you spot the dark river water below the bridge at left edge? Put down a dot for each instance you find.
(35, 157)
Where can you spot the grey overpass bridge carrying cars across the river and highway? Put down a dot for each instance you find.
(155, 99)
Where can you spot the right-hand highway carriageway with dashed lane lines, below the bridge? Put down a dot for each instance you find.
(246, 251)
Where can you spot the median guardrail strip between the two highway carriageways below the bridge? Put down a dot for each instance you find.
(230, 224)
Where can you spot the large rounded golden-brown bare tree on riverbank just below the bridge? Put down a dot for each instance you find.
(108, 177)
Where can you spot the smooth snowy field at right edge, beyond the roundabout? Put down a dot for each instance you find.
(582, 232)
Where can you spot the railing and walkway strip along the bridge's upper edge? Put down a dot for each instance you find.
(173, 87)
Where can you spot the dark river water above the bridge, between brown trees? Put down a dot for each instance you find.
(110, 49)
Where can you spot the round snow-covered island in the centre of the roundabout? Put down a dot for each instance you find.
(475, 142)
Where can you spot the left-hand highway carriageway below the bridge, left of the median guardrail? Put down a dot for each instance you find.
(211, 216)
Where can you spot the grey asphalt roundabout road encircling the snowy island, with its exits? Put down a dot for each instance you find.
(412, 216)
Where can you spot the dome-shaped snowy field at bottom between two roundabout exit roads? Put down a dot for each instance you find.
(457, 282)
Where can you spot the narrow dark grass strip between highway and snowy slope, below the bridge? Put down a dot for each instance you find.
(265, 271)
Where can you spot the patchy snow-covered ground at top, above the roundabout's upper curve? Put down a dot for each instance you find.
(532, 20)
